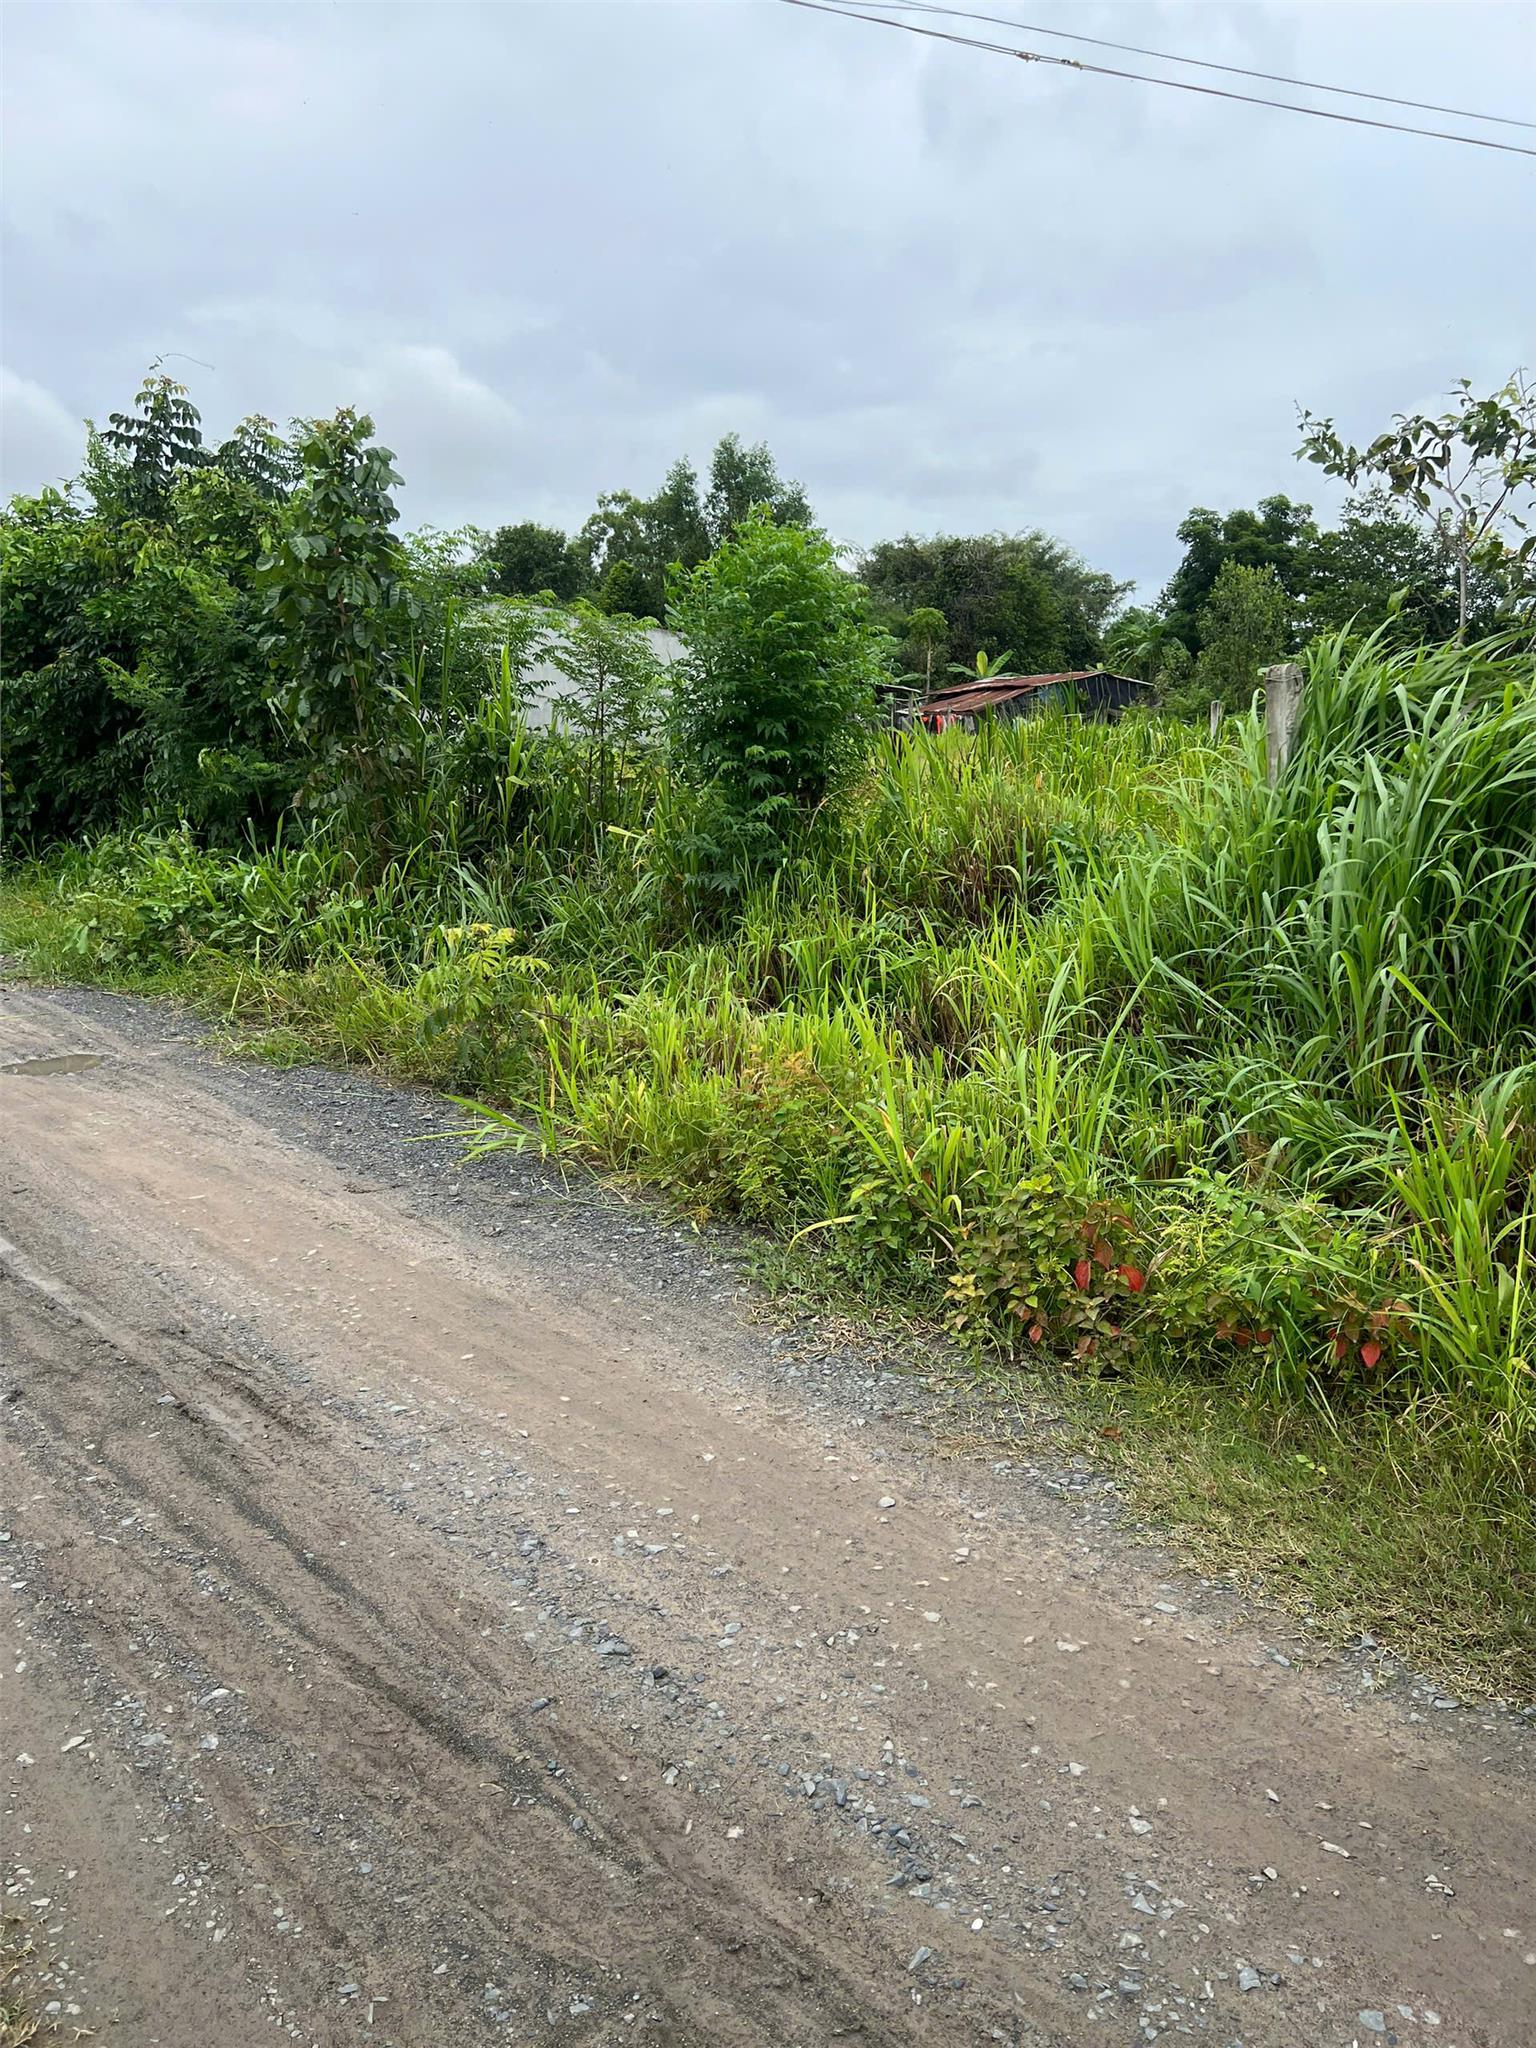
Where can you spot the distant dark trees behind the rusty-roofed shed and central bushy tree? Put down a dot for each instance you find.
(1435, 542)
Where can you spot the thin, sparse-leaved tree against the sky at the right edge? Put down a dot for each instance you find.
(1469, 474)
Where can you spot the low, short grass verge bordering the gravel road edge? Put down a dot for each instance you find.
(1406, 1527)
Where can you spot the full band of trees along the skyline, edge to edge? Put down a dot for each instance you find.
(198, 624)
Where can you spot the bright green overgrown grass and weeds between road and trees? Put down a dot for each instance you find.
(1199, 1109)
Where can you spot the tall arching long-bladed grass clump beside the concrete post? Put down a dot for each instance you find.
(1377, 906)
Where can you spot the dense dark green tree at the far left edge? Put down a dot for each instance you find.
(134, 679)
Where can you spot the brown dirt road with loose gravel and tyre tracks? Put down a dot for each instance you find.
(433, 1613)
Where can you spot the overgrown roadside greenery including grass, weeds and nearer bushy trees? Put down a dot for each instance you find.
(1211, 1099)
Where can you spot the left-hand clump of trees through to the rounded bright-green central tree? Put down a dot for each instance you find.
(224, 634)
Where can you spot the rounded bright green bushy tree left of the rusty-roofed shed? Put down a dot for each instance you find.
(777, 689)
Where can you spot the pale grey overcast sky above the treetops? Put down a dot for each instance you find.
(552, 247)
